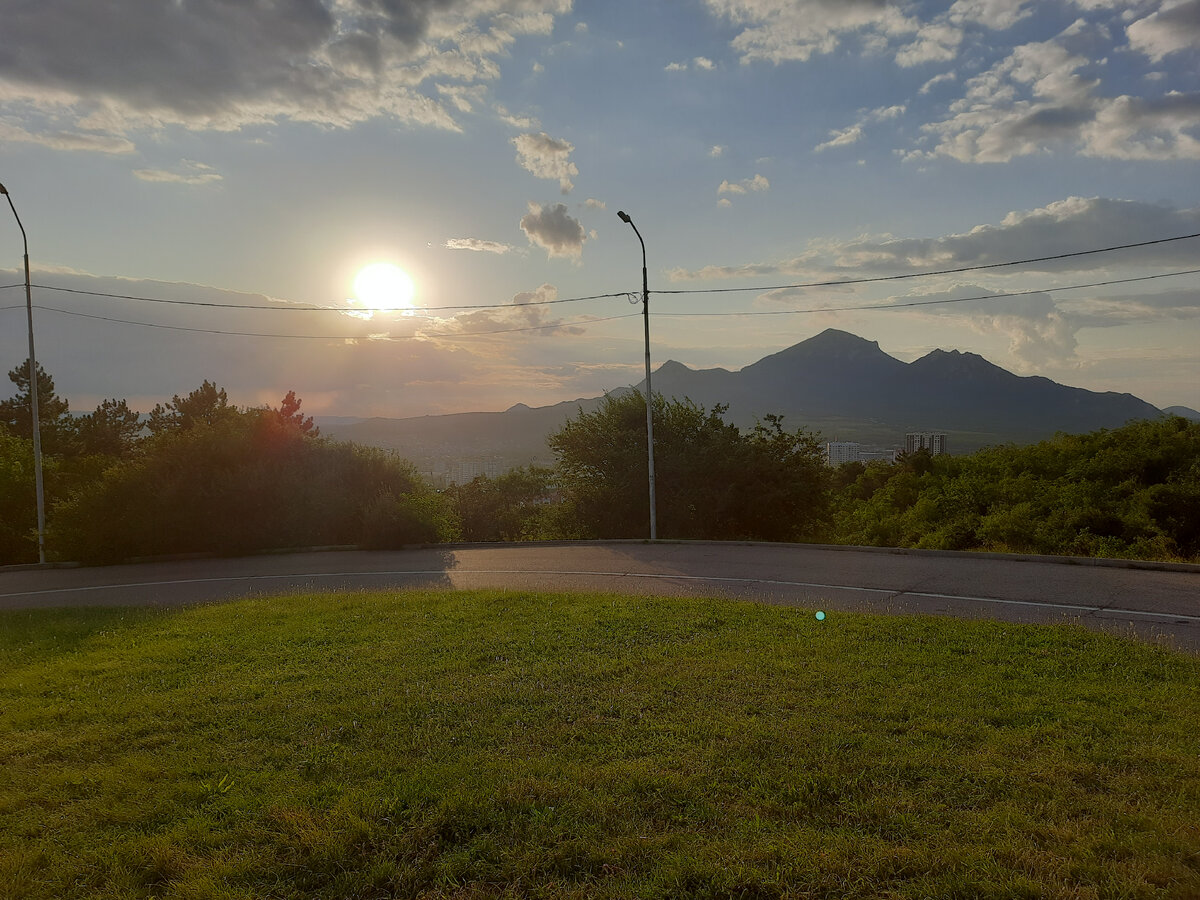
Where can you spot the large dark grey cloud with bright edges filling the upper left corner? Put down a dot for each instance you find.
(93, 68)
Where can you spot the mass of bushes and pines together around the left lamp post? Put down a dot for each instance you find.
(208, 478)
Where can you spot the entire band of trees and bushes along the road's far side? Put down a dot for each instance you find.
(203, 476)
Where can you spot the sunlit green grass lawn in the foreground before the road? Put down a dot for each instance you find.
(505, 745)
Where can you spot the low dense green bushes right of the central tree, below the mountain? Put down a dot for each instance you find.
(1127, 493)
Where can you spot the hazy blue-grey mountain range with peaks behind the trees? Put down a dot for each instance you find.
(837, 383)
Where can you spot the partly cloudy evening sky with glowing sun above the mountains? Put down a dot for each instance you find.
(230, 169)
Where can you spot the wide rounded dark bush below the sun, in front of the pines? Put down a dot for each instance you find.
(247, 483)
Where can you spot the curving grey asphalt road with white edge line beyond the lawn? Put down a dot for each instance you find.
(1161, 604)
